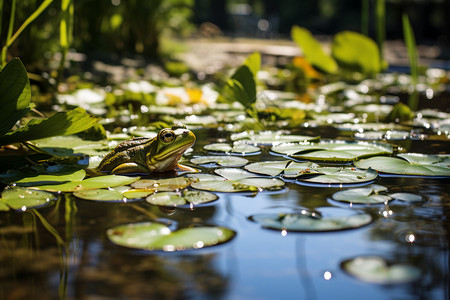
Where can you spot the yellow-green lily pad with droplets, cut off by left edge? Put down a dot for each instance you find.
(20, 198)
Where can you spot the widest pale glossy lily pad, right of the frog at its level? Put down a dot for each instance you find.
(332, 151)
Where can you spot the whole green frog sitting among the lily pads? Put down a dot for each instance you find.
(144, 155)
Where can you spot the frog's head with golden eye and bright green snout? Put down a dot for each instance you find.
(168, 147)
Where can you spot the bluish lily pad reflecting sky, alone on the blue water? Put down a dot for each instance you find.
(339, 219)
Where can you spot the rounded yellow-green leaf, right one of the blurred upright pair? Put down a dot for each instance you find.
(356, 52)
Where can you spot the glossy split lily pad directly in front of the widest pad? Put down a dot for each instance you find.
(337, 176)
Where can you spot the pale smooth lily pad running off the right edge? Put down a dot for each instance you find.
(398, 166)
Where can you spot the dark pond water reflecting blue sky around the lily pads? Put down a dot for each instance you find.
(257, 264)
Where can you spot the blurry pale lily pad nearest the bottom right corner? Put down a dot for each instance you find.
(376, 269)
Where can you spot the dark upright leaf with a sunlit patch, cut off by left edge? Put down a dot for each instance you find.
(15, 94)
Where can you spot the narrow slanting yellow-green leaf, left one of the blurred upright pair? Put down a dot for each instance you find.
(312, 50)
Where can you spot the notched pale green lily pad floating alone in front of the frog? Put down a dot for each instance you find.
(155, 236)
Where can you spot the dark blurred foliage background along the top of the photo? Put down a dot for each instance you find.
(139, 27)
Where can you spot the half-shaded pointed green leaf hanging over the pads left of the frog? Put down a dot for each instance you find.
(62, 123)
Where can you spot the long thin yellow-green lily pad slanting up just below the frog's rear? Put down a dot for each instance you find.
(90, 183)
